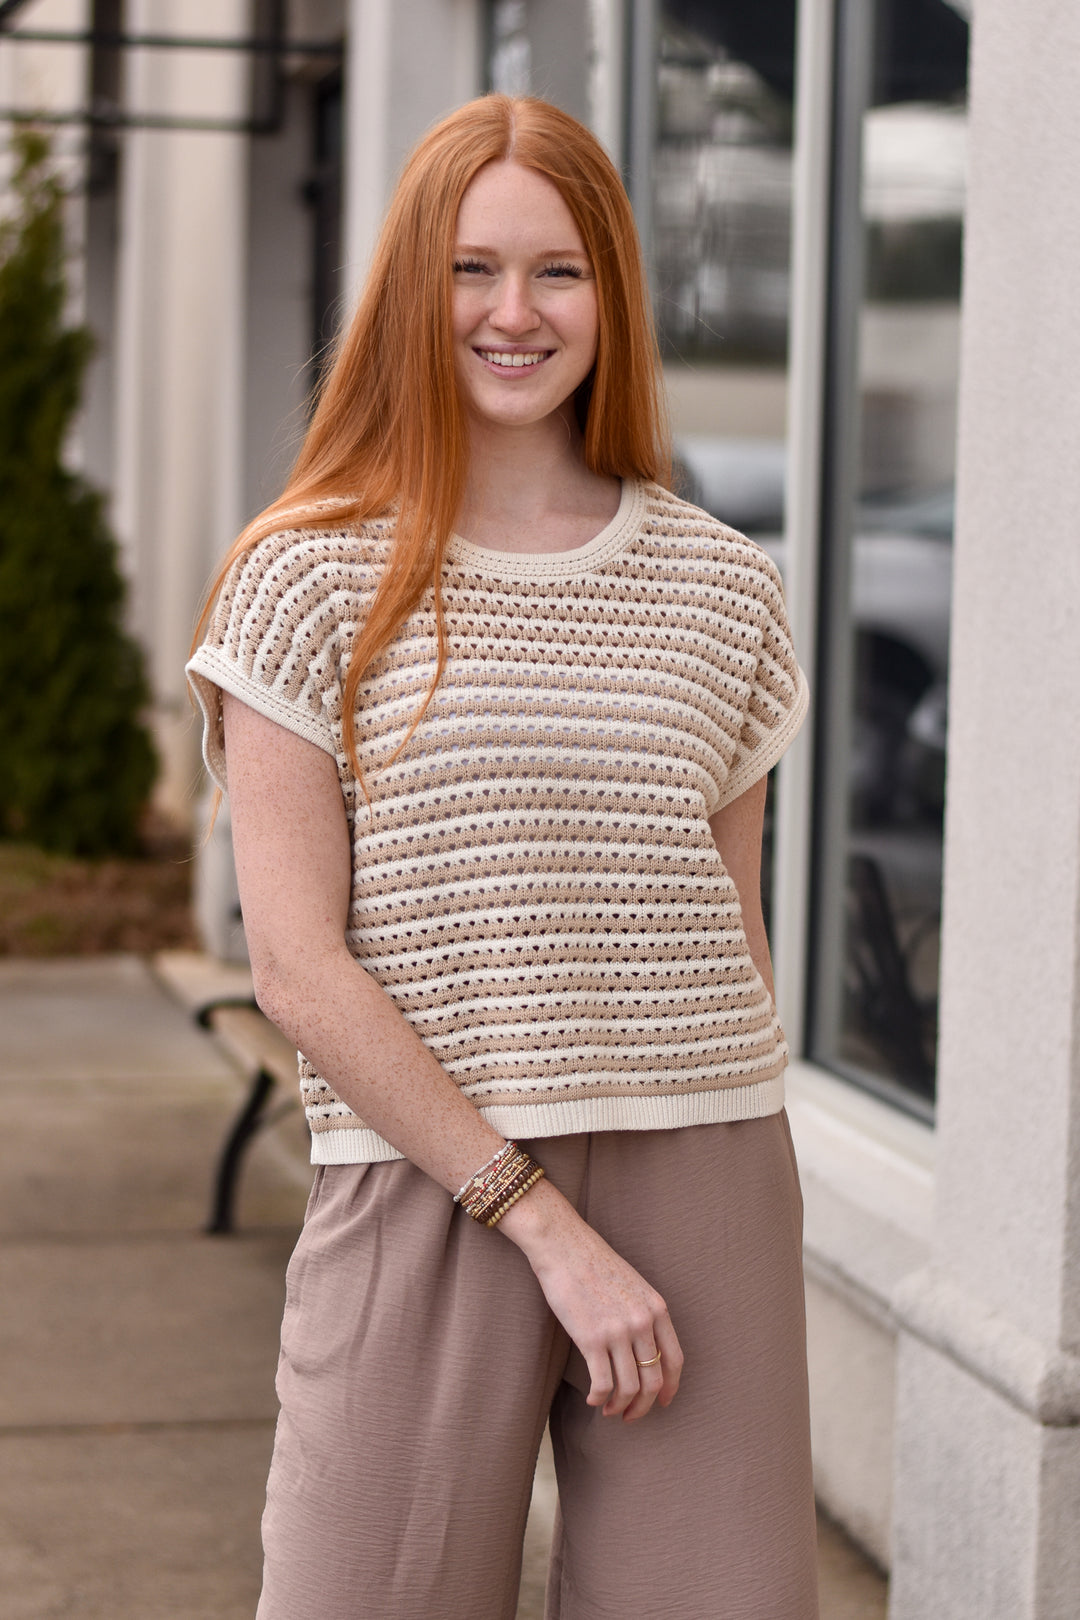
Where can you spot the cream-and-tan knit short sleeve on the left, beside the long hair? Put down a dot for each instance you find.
(273, 642)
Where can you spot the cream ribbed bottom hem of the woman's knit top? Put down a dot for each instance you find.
(529, 1122)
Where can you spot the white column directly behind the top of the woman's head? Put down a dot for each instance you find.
(409, 62)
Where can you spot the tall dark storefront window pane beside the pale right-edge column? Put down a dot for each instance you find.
(888, 552)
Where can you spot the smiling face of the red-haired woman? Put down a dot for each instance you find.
(525, 320)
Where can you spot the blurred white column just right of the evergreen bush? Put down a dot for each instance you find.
(179, 354)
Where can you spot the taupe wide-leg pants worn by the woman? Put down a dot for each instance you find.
(420, 1365)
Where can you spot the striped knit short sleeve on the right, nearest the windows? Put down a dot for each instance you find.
(778, 696)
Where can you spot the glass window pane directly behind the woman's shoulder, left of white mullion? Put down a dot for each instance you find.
(721, 210)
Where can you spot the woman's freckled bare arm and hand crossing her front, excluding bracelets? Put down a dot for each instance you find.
(294, 864)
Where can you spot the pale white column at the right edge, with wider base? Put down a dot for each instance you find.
(989, 1422)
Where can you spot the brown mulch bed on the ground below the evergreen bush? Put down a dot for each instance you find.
(57, 906)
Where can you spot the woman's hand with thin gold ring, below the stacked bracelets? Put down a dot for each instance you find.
(614, 1318)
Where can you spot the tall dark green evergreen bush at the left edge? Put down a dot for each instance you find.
(77, 762)
